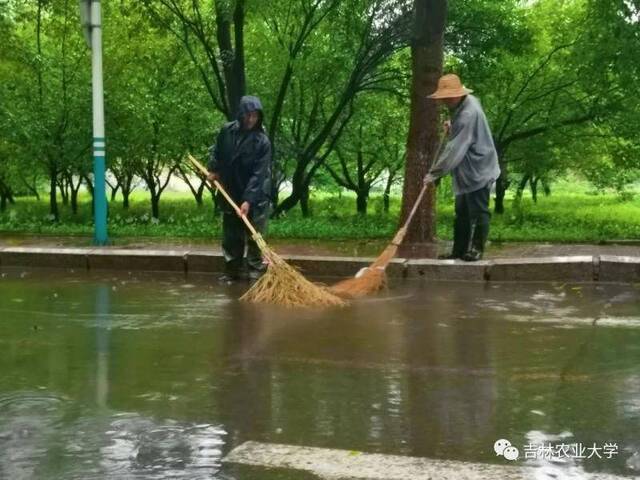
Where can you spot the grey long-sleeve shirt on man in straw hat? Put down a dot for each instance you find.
(469, 154)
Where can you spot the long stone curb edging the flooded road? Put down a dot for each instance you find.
(601, 268)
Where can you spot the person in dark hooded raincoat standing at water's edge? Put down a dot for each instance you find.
(240, 160)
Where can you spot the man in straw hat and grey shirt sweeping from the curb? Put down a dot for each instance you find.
(471, 158)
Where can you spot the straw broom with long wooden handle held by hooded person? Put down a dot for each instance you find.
(281, 284)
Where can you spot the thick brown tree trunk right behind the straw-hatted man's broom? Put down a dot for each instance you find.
(426, 59)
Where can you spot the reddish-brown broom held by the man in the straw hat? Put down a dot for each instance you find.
(373, 278)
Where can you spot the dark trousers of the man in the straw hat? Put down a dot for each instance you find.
(471, 224)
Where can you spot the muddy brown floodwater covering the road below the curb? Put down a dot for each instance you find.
(149, 376)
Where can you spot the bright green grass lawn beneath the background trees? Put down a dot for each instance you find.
(570, 214)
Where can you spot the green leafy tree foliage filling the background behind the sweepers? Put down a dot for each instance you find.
(557, 79)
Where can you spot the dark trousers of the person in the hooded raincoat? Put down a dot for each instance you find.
(235, 237)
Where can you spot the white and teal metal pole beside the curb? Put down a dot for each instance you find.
(99, 144)
